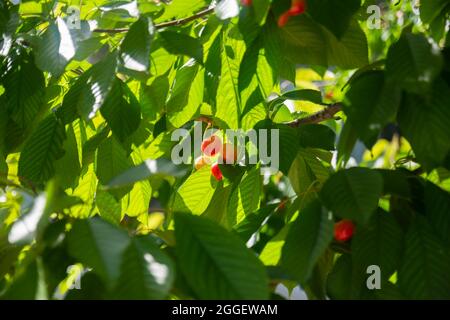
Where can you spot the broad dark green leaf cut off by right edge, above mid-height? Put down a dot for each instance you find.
(418, 115)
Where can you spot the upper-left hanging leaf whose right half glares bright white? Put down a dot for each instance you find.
(56, 48)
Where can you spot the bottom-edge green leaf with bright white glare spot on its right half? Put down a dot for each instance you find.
(146, 272)
